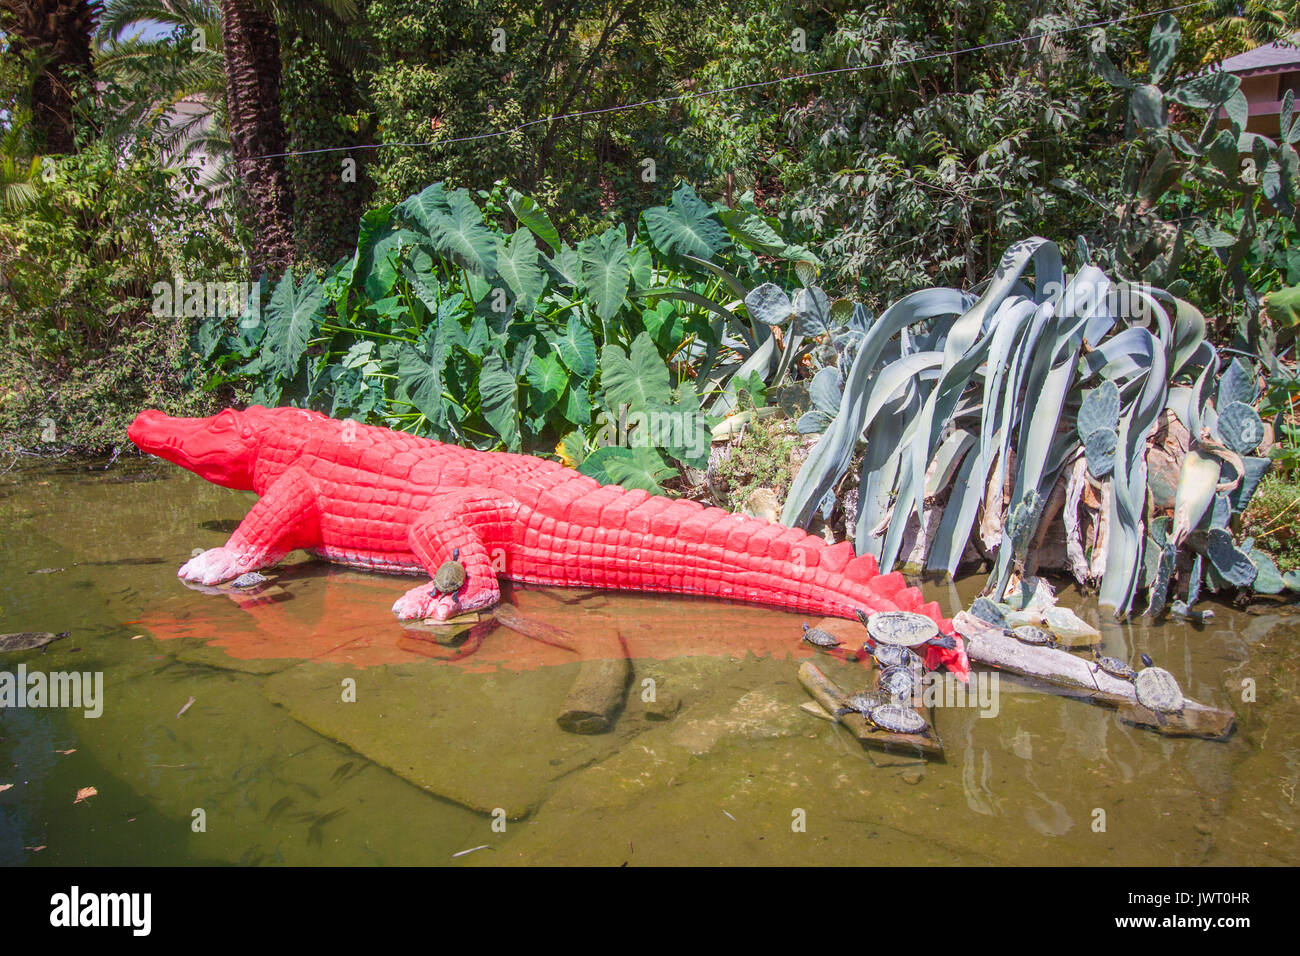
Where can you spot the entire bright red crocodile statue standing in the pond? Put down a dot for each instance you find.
(383, 500)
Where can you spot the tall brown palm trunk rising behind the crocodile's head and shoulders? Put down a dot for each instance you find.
(257, 131)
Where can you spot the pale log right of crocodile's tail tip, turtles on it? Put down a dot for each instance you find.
(1081, 678)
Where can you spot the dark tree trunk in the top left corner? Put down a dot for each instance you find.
(57, 33)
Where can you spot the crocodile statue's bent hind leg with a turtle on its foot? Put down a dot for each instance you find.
(461, 524)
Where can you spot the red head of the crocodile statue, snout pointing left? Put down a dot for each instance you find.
(223, 448)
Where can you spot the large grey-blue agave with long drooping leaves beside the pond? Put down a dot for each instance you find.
(980, 421)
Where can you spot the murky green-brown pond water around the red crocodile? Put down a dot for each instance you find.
(323, 732)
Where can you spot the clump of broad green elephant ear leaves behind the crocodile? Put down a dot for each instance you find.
(467, 318)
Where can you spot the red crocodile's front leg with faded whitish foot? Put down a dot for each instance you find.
(280, 522)
